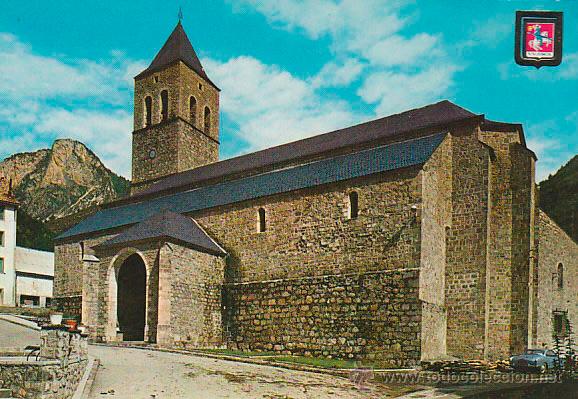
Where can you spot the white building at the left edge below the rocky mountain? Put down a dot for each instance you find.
(26, 275)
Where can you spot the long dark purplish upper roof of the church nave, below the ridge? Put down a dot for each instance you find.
(441, 113)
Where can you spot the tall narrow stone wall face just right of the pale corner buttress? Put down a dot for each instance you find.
(465, 285)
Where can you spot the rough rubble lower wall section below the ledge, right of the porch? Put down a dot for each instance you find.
(373, 316)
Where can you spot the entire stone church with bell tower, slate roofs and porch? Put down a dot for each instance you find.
(410, 237)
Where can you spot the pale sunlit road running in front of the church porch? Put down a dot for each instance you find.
(135, 374)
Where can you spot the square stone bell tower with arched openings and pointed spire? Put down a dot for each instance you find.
(176, 114)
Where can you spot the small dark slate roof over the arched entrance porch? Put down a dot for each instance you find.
(169, 225)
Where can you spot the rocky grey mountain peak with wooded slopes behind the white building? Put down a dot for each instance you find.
(57, 184)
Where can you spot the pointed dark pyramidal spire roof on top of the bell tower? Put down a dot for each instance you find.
(177, 47)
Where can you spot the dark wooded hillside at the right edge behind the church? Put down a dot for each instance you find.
(559, 197)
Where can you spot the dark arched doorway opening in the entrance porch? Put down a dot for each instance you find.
(131, 298)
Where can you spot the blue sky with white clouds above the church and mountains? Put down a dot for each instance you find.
(288, 69)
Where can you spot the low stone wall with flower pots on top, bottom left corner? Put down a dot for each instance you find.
(55, 375)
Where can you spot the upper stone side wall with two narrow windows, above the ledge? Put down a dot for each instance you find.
(309, 232)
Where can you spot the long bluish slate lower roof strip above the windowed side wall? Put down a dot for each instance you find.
(375, 160)
